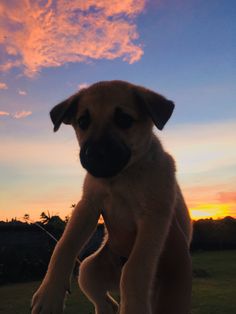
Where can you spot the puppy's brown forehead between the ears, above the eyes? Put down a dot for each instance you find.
(107, 96)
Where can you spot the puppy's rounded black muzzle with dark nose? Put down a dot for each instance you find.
(105, 157)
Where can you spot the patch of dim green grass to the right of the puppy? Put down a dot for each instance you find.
(217, 292)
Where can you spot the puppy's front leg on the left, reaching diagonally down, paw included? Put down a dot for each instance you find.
(49, 298)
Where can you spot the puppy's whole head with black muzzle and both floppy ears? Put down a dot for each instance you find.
(113, 124)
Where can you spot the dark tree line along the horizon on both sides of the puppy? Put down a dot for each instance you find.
(26, 247)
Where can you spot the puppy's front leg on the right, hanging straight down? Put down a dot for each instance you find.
(139, 271)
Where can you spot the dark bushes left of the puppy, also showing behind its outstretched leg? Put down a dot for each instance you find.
(25, 249)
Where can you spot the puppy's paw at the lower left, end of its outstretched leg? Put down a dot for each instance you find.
(48, 299)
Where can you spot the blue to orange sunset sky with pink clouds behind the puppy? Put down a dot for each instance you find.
(49, 49)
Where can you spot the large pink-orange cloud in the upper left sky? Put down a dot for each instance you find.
(52, 33)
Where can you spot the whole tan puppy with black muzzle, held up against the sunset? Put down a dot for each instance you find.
(131, 182)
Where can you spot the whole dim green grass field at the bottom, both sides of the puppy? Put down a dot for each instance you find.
(214, 288)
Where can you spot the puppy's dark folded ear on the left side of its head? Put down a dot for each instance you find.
(64, 111)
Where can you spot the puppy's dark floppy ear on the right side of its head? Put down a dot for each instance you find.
(157, 106)
